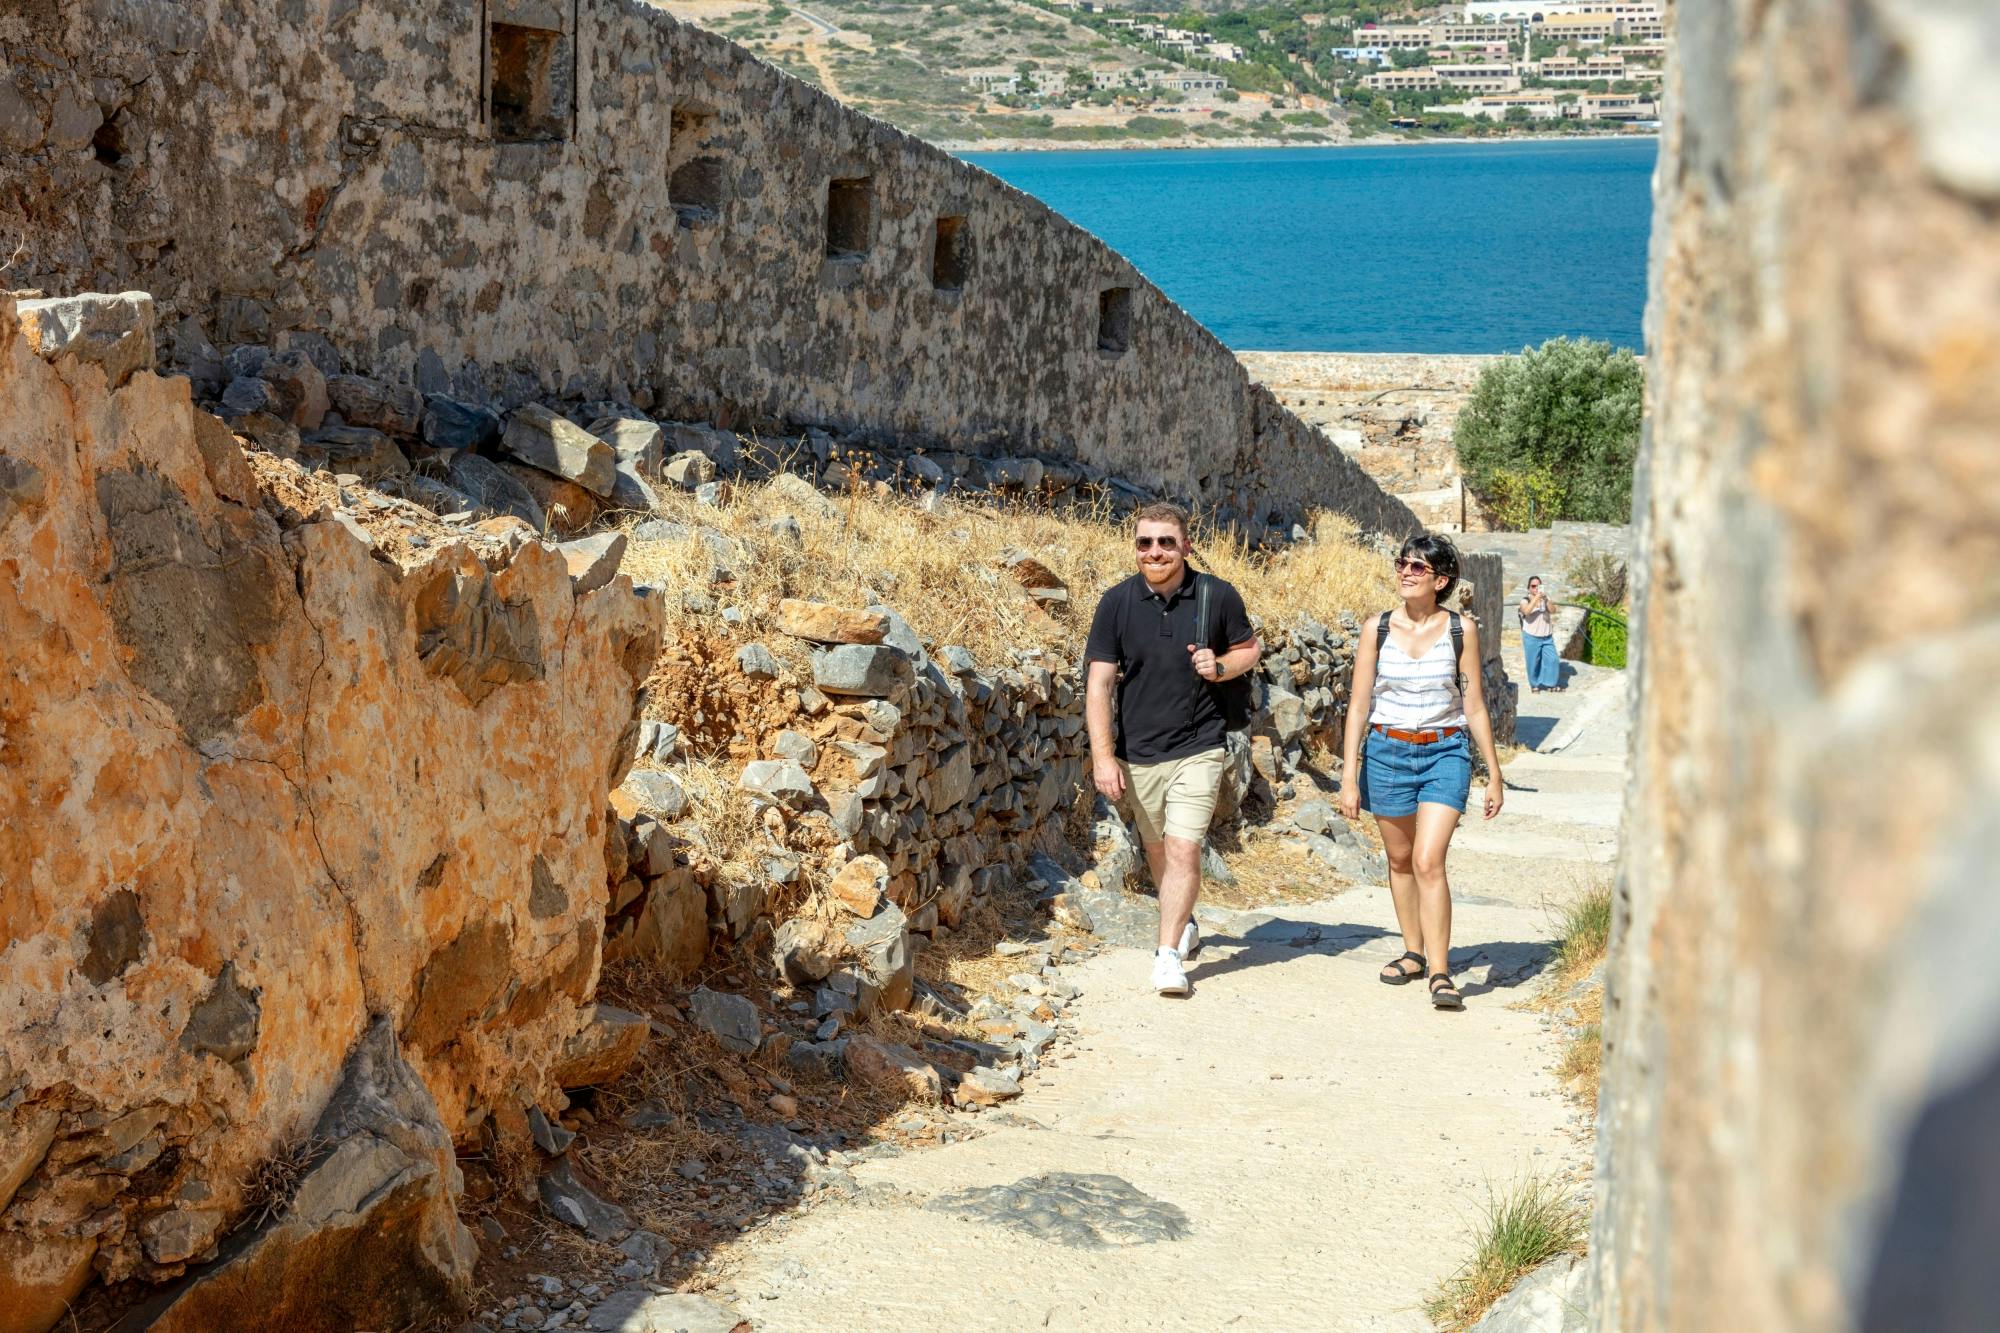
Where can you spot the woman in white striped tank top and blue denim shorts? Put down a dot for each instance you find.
(1419, 672)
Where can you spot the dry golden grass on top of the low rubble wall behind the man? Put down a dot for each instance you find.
(941, 569)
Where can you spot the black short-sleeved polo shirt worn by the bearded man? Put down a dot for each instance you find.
(1165, 712)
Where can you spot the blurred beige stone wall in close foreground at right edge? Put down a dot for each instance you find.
(1803, 1030)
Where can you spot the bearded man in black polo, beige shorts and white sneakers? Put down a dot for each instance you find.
(1151, 649)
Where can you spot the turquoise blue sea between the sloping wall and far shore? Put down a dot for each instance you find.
(1411, 249)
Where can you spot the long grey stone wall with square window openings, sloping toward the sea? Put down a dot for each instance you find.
(523, 199)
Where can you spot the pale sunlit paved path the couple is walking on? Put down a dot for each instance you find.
(1293, 1148)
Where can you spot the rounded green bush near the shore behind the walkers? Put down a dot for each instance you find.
(1553, 433)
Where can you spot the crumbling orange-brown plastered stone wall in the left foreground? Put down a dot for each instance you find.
(271, 774)
